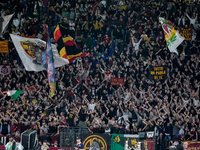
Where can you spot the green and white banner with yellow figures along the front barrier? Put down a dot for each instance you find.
(120, 141)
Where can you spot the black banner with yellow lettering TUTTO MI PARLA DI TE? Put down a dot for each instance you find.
(157, 73)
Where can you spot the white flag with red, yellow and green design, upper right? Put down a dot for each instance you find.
(172, 37)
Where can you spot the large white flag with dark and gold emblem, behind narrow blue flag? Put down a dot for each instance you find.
(31, 51)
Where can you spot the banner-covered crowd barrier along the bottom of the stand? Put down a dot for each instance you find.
(141, 141)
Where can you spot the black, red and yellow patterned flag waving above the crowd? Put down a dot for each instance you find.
(67, 46)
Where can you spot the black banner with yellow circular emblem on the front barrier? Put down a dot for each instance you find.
(95, 141)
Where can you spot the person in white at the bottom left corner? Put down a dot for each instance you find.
(13, 145)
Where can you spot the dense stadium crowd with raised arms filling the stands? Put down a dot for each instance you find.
(123, 38)
